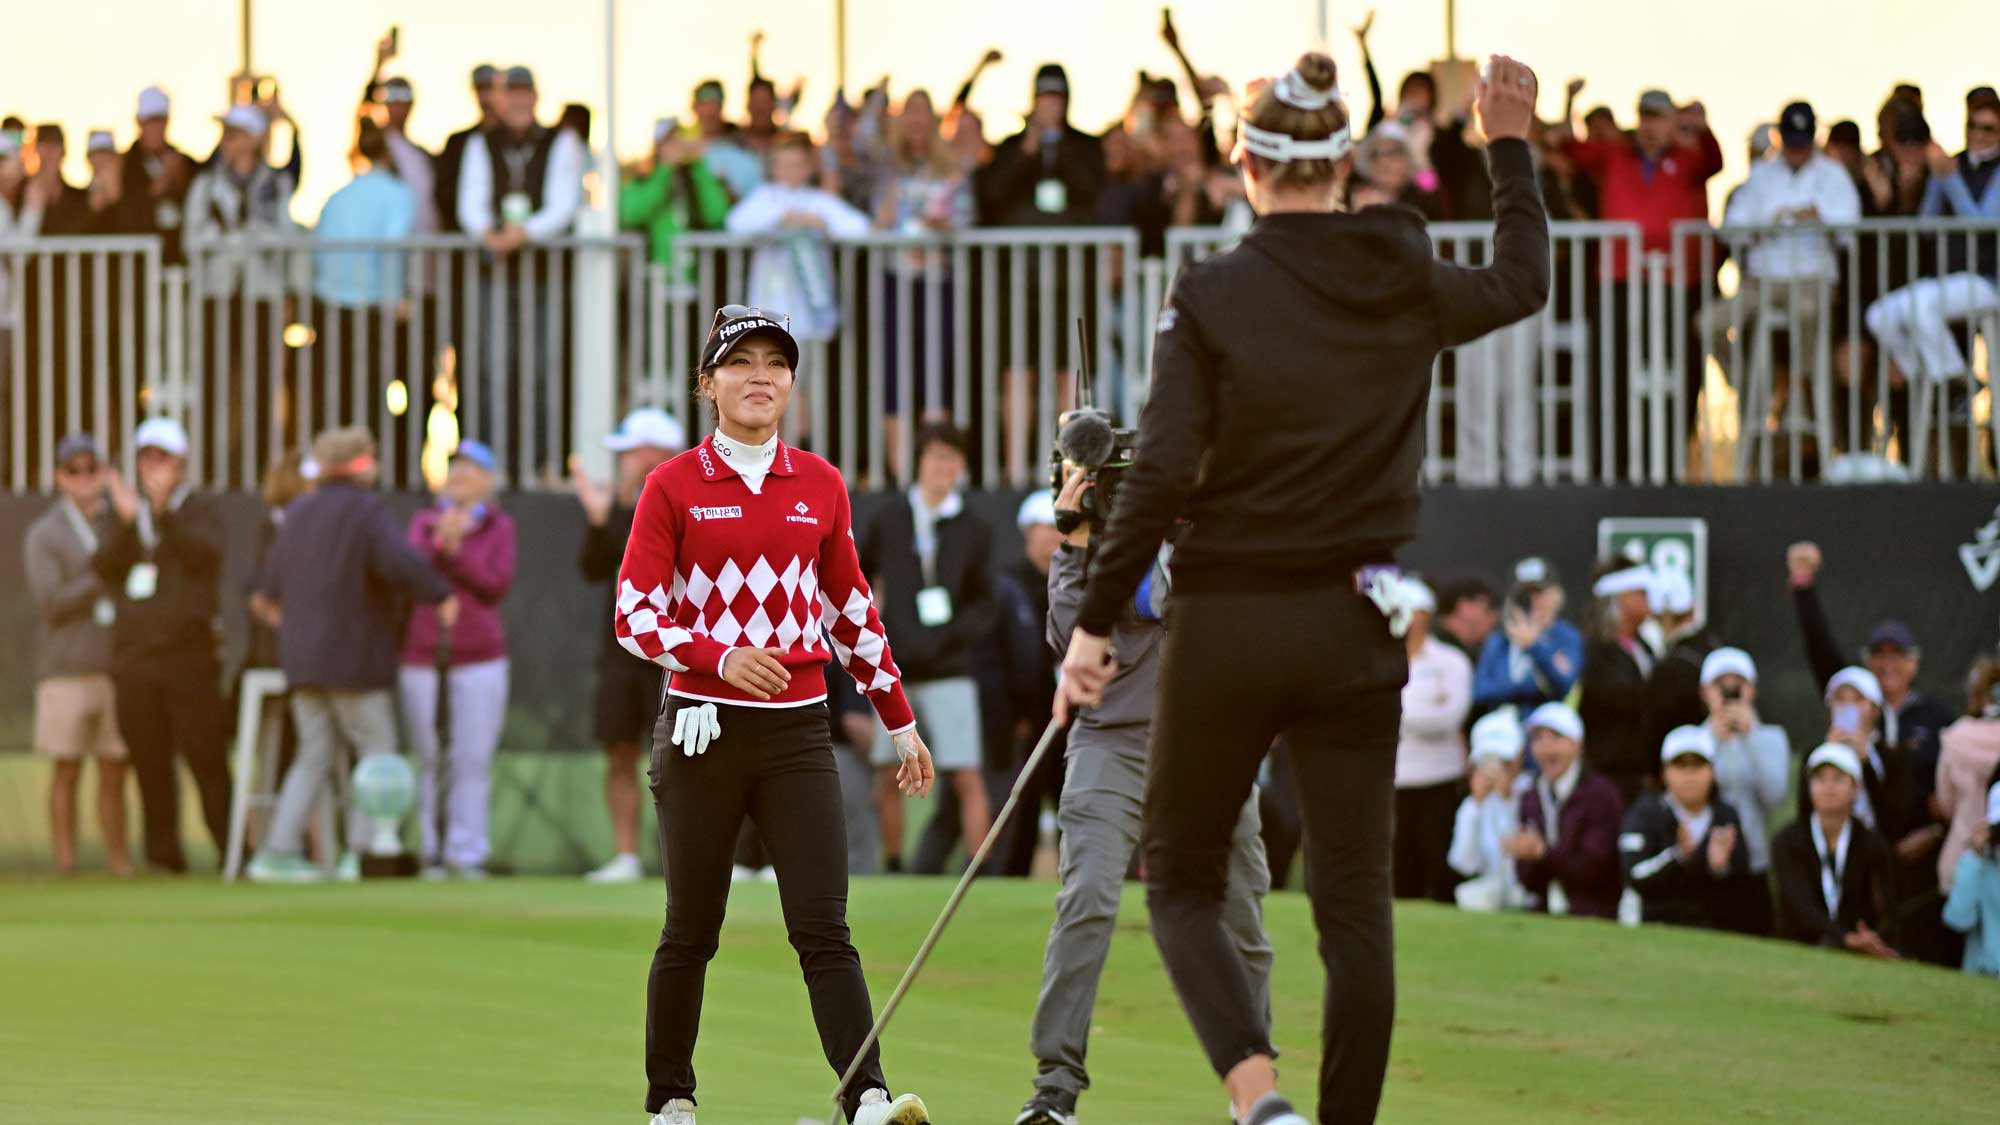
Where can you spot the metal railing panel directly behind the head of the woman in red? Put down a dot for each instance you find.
(979, 329)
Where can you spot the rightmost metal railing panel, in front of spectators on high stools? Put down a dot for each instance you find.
(1843, 353)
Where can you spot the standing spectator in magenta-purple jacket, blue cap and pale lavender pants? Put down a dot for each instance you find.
(471, 543)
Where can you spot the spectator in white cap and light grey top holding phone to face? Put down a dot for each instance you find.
(1753, 764)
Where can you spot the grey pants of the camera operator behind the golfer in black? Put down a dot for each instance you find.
(1101, 816)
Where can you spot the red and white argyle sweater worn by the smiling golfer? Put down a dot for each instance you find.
(715, 568)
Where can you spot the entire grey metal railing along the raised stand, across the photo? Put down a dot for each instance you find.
(1725, 365)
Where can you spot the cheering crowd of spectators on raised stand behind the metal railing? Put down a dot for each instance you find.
(895, 161)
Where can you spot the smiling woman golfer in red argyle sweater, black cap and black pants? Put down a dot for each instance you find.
(741, 553)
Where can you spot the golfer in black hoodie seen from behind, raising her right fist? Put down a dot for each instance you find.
(1287, 425)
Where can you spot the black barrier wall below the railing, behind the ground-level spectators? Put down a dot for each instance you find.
(1929, 555)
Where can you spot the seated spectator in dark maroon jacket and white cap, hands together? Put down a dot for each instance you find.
(1567, 848)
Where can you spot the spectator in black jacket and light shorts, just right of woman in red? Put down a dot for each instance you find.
(931, 566)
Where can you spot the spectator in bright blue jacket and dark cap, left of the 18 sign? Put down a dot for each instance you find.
(1535, 658)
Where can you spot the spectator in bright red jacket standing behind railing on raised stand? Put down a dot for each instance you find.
(1655, 179)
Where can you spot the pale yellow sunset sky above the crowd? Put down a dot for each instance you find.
(1743, 57)
